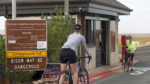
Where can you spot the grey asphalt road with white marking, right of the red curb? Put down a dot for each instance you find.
(140, 75)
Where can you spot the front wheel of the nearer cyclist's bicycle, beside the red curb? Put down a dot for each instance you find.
(83, 76)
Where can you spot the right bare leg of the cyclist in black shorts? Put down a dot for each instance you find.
(74, 68)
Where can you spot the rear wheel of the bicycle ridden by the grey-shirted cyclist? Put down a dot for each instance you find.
(66, 78)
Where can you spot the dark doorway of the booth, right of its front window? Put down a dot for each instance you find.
(101, 29)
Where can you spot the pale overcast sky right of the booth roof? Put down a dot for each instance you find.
(139, 20)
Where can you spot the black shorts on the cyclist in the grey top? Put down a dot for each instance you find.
(67, 55)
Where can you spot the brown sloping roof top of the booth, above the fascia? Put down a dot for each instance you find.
(112, 3)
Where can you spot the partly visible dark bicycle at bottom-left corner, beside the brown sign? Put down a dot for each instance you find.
(5, 70)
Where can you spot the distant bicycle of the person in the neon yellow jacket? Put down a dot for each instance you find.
(127, 62)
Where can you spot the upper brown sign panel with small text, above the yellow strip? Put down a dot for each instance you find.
(26, 35)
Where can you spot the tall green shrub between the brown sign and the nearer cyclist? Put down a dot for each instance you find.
(58, 28)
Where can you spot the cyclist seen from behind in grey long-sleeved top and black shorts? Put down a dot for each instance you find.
(68, 54)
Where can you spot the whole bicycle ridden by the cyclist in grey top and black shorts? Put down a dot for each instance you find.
(83, 75)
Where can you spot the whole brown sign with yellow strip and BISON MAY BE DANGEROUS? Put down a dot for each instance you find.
(26, 44)
